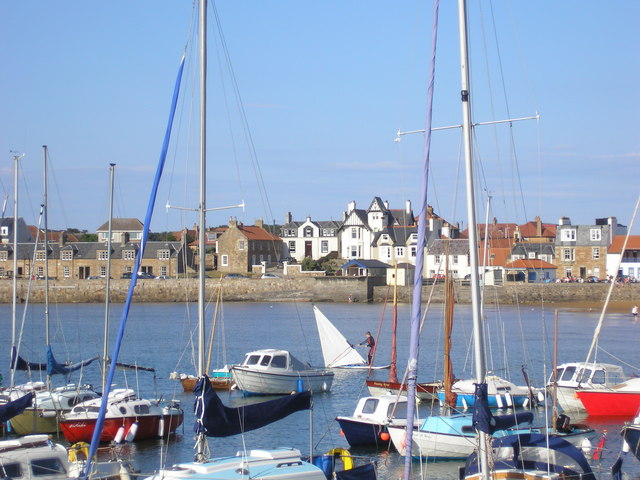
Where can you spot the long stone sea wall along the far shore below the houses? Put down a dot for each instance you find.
(309, 289)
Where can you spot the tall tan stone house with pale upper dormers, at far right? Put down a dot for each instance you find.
(581, 250)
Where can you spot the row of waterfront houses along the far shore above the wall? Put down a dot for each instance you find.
(366, 239)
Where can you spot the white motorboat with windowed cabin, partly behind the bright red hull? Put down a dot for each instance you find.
(570, 377)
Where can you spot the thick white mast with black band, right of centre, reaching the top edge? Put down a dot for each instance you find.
(478, 337)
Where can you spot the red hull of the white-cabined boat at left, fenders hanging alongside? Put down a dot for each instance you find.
(81, 430)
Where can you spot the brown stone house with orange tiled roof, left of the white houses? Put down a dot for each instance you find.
(241, 247)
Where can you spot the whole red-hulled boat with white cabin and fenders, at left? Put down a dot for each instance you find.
(127, 418)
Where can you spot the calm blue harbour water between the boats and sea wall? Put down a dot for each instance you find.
(160, 335)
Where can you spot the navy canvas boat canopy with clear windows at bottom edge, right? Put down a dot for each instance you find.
(529, 451)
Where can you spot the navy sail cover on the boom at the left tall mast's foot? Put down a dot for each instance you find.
(214, 419)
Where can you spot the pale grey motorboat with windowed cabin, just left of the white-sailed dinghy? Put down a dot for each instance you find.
(277, 372)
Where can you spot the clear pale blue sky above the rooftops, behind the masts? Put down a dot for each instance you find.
(307, 120)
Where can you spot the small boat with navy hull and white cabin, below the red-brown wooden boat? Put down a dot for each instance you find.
(368, 424)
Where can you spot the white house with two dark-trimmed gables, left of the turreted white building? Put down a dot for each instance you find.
(310, 238)
